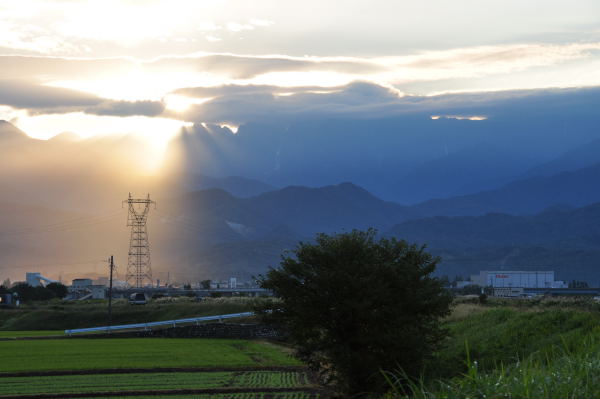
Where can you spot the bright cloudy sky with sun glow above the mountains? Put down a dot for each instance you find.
(150, 67)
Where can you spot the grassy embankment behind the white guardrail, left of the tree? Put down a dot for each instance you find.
(61, 315)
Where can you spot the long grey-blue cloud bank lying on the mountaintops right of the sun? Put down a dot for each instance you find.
(242, 104)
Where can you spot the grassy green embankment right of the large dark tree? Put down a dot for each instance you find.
(517, 349)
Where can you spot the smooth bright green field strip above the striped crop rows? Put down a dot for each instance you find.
(79, 354)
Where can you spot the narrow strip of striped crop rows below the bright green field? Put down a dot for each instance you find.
(148, 381)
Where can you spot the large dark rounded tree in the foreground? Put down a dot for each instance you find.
(353, 305)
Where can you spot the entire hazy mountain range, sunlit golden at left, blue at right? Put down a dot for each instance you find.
(503, 191)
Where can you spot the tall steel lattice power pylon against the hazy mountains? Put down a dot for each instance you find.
(138, 263)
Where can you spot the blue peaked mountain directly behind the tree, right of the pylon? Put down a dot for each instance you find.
(215, 233)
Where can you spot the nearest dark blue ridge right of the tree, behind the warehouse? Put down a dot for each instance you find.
(565, 241)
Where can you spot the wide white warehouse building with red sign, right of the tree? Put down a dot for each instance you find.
(520, 279)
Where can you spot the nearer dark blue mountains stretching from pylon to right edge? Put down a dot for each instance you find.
(221, 224)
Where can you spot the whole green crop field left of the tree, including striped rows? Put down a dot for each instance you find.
(160, 367)
